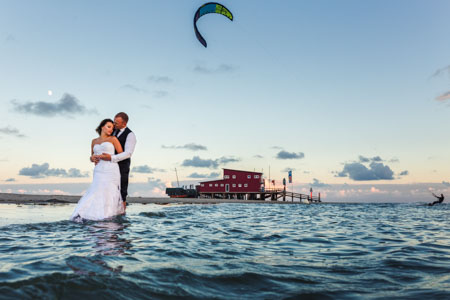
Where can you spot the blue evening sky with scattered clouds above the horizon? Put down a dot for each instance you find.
(352, 96)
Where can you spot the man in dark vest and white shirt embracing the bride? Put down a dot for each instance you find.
(128, 141)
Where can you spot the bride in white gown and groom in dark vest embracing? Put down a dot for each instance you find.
(111, 152)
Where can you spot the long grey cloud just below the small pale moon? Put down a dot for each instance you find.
(68, 105)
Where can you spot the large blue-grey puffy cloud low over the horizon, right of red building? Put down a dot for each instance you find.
(359, 172)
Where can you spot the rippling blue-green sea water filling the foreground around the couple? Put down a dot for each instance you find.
(227, 251)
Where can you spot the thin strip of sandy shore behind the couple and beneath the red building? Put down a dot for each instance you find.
(10, 198)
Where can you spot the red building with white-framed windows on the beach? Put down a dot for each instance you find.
(240, 184)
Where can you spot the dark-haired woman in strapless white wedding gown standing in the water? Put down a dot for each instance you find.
(103, 199)
